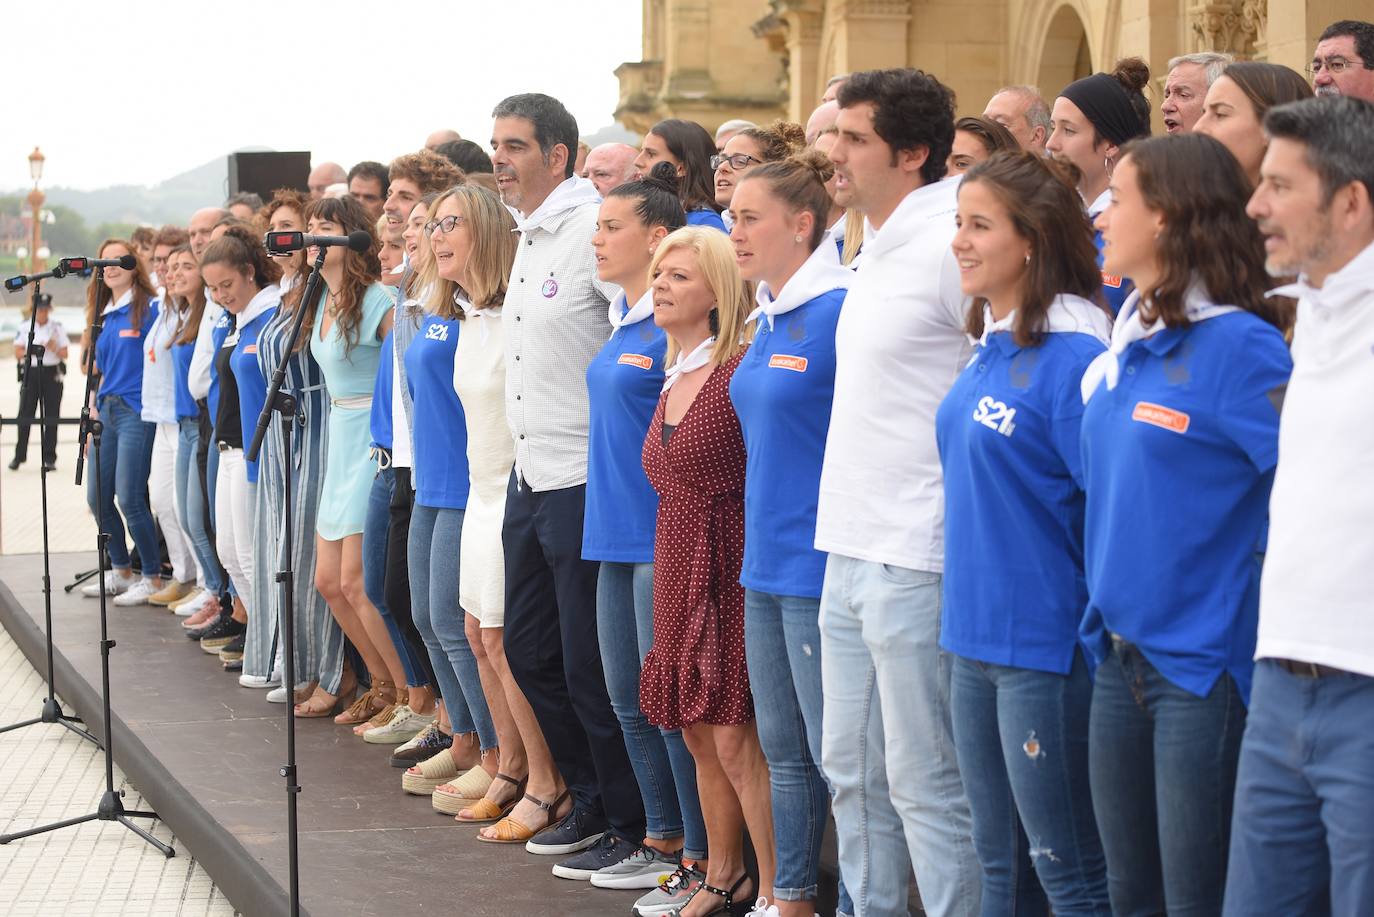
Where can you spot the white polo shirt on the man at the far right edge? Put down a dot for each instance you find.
(1317, 601)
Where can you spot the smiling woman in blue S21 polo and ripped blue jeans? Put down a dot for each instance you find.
(1013, 589)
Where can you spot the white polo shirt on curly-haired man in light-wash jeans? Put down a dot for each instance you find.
(899, 347)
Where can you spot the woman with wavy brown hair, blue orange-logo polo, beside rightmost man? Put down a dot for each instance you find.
(1180, 448)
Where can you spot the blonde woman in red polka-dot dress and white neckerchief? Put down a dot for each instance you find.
(695, 676)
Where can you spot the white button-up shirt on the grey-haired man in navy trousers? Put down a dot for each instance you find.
(554, 322)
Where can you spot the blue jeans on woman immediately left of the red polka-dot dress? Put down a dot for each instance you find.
(663, 765)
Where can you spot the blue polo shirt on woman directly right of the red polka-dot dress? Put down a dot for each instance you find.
(782, 393)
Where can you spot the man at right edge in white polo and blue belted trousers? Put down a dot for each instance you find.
(1303, 834)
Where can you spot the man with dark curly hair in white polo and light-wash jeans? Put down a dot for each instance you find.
(888, 744)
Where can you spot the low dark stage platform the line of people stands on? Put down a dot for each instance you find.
(205, 754)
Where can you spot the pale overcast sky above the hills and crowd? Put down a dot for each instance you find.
(144, 91)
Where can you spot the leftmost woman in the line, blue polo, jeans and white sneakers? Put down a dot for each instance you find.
(130, 307)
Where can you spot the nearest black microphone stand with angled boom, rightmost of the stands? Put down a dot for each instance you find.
(285, 405)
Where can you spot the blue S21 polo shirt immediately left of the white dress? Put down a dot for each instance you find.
(440, 430)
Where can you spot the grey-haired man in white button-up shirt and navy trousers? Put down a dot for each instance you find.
(556, 320)
